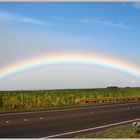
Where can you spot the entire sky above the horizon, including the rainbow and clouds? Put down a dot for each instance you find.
(51, 45)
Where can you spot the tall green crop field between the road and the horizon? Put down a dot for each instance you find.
(13, 100)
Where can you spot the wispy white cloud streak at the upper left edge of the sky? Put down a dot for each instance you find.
(7, 16)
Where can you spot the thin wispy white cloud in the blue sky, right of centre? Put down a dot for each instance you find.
(107, 23)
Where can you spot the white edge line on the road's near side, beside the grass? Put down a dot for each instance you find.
(93, 128)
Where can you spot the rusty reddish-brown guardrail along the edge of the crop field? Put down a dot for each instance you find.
(109, 99)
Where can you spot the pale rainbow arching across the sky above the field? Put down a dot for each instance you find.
(89, 59)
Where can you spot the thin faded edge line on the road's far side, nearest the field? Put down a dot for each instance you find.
(61, 110)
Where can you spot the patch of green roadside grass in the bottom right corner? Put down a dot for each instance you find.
(124, 131)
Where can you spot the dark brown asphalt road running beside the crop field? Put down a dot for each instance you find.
(66, 122)
